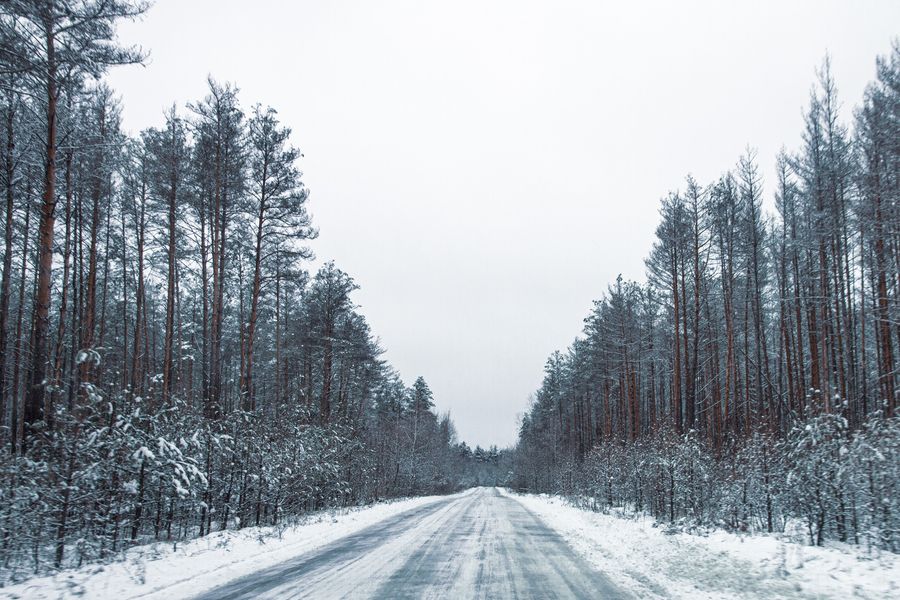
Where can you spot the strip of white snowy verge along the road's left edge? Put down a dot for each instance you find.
(161, 571)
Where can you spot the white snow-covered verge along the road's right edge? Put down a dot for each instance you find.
(652, 563)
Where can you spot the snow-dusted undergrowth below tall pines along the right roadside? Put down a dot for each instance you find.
(840, 484)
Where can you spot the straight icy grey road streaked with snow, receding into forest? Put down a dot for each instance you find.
(479, 544)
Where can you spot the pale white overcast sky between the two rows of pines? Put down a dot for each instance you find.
(484, 169)
